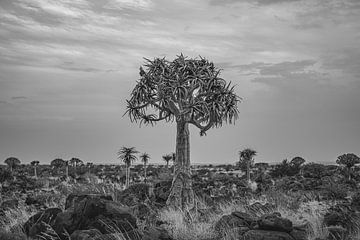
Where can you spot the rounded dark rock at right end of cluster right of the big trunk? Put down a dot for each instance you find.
(274, 222)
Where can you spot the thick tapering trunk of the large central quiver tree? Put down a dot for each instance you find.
(181, 194)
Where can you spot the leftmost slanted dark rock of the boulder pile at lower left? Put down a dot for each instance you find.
(34, 226)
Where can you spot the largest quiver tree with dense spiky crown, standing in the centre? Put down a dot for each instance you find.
(187, 91)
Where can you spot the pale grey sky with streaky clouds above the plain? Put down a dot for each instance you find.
(67, 67)
